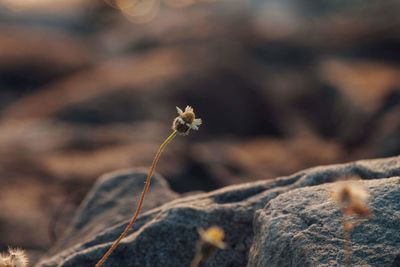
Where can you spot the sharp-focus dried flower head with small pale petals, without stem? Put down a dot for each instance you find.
(186, 121)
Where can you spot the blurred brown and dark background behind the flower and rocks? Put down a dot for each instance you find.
(281, 85)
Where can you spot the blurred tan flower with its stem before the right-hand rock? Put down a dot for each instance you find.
(351, 198)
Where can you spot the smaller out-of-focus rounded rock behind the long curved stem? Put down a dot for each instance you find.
(112, 200)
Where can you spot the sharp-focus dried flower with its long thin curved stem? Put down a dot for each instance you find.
(181, 125)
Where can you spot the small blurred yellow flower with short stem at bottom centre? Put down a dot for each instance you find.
(210, 240)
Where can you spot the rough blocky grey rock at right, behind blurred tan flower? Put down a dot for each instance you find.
(303, 228)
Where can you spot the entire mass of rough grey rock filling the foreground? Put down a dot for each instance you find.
(288, 221)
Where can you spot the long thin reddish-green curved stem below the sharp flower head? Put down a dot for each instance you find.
(141, 200)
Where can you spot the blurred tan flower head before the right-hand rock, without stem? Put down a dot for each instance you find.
(351, 198)
